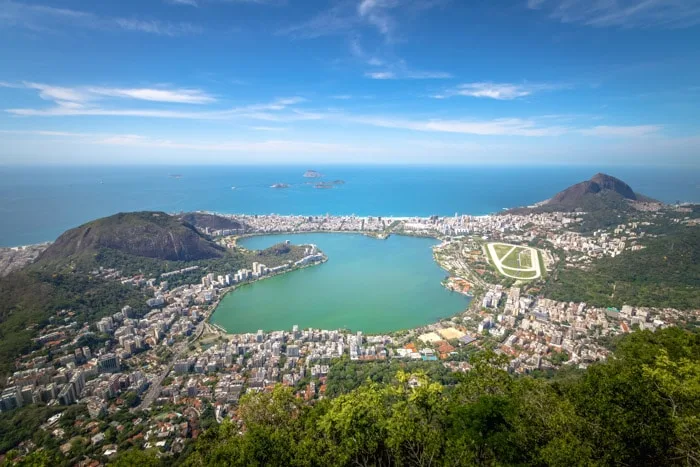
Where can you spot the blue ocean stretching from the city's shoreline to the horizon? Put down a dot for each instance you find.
(38, 203)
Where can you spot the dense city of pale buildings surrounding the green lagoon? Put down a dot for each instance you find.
(158, 376)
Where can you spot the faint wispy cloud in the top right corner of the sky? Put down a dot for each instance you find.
(668, 14)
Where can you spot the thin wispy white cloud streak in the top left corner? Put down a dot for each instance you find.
(47, 18)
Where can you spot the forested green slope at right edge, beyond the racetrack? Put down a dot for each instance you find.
(664, 274)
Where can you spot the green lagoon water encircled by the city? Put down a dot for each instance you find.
(367, 285)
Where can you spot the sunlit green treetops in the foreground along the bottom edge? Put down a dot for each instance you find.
(640, 408)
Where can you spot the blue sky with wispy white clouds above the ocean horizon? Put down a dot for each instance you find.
(366, 81)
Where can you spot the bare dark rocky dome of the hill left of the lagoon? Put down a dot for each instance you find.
(146, 234)
